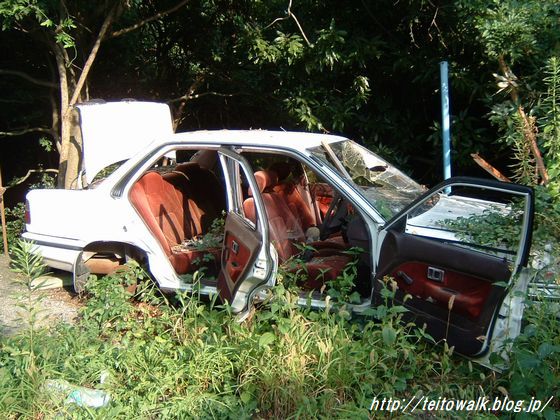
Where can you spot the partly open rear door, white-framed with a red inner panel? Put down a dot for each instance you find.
(246, 262)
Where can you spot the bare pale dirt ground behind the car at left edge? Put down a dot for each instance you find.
(59, 304)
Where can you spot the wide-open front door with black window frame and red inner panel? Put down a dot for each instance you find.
(456, 251)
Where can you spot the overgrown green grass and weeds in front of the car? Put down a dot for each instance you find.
(192, 359)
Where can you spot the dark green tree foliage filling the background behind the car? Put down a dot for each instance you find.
(368, 70)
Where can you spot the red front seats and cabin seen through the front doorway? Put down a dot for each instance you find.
(297, 203)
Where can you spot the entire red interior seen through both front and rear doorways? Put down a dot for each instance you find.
(179, 201)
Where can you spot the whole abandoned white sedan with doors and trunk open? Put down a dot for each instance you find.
(238, 206)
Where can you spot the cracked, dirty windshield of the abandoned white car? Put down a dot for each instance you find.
(383, 185)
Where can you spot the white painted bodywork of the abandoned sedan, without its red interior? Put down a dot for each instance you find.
(68, 227)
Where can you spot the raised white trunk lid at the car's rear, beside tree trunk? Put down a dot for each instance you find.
(115, 131)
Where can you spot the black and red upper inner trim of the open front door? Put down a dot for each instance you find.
(467, 276)
